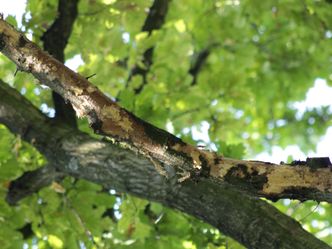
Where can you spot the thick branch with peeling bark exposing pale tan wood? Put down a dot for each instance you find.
(172, 157)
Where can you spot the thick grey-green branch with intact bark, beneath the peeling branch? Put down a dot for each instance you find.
(251, 221)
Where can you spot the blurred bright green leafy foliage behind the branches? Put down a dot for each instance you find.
(263, 56)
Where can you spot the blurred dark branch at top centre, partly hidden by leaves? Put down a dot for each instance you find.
(154, 20)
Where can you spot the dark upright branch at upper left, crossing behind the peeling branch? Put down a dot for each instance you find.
(55, 40)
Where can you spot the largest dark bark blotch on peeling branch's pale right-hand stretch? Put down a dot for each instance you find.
(239, 174)
